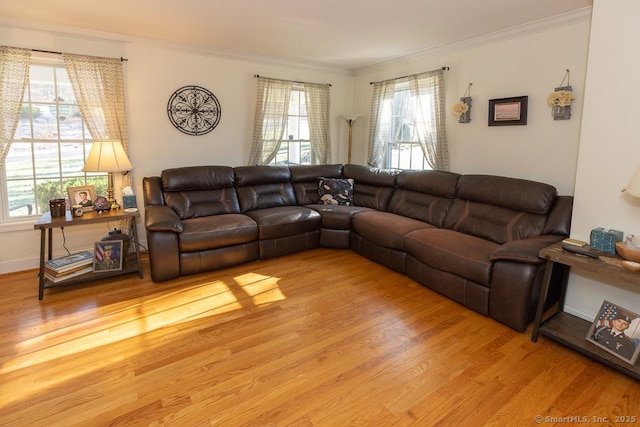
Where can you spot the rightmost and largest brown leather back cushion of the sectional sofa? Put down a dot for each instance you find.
(500, 209)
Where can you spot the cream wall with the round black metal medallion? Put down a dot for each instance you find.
(153, 72)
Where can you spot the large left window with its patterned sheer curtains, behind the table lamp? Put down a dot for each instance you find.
(44, 153)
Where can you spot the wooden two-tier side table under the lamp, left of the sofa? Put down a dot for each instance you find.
(46, 224)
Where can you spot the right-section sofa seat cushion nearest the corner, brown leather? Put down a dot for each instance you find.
(386, 229)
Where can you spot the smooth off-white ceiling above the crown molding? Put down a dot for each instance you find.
(345, 34)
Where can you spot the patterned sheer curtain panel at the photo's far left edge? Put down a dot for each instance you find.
(14, 76)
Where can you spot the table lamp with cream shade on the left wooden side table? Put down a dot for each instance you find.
(110, 157)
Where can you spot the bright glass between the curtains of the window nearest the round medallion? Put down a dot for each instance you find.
(295, 147)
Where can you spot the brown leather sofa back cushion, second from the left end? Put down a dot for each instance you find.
(261, 187)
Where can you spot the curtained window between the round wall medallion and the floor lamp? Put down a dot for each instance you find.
(291, 123)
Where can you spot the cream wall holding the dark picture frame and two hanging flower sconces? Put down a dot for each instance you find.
(530, 62)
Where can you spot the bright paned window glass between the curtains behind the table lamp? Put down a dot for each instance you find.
(49, 147)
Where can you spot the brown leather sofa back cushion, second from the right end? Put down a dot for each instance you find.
(424, 195)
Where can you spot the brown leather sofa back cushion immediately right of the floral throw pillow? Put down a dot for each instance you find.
(372, 187)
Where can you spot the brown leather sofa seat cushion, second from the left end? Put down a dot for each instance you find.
(285, 221)
